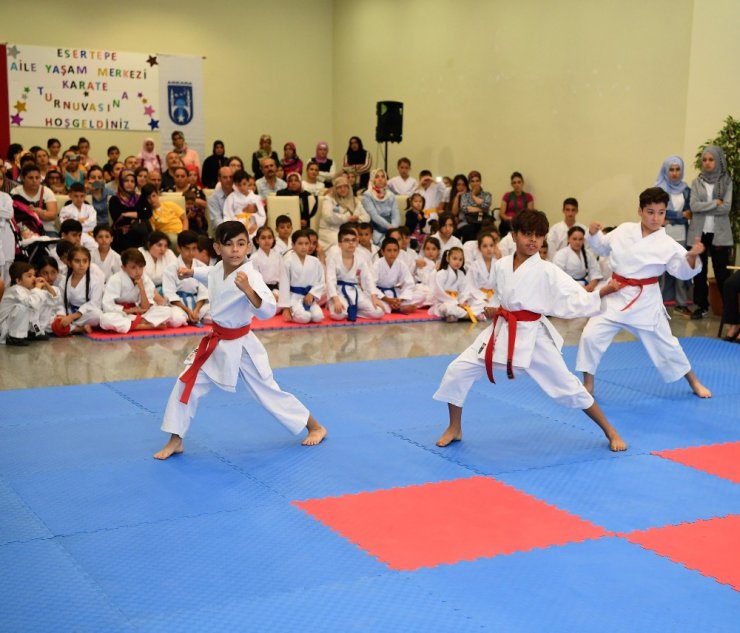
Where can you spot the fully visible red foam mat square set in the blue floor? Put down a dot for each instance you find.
(448, 522)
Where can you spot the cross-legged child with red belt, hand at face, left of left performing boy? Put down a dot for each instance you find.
(128, 299)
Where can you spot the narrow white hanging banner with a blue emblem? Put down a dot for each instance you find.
(181, 99)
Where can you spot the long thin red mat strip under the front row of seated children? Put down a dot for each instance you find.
(275, 323)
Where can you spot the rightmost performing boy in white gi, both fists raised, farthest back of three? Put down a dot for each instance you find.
(639, 253)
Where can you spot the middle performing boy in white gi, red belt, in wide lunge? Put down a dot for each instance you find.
(528, 288)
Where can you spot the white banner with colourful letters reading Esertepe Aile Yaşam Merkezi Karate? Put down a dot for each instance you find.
(79, 88)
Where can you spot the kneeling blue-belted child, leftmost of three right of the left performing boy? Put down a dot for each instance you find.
(302, 283)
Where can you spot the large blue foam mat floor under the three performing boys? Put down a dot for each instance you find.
(95, 535)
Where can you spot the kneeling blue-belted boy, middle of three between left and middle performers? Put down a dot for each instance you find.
(349, 282)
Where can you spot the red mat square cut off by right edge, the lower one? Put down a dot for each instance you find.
(709, 547)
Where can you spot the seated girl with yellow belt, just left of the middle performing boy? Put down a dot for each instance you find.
(451, 292)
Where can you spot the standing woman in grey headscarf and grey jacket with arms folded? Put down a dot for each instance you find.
(711, 201)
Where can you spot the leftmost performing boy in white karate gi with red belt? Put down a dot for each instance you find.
(237, 294)
